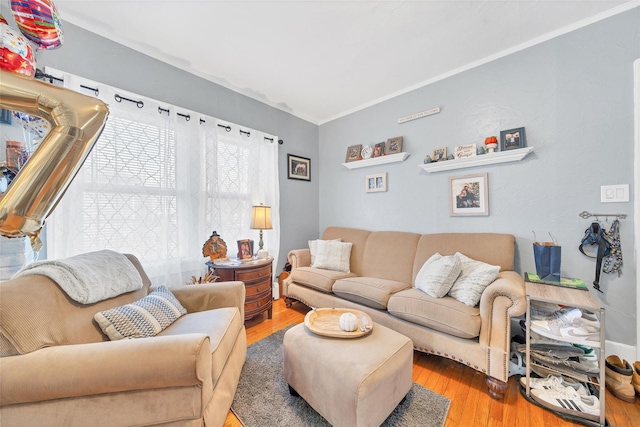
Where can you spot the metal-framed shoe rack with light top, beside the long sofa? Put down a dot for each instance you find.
(579, 299)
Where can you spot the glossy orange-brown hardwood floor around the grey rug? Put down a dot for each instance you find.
(470, 403)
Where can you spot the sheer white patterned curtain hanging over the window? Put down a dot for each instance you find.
(159, 181)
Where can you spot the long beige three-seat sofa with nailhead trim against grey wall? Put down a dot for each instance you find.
(381, 278)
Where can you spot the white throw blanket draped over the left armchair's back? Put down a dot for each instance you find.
(90, 277)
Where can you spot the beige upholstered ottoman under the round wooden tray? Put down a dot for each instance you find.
(350, 382)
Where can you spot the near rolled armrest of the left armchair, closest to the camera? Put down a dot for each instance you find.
(107, 367)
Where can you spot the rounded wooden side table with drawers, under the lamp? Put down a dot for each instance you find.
(257, 276)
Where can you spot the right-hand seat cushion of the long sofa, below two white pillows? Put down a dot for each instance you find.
(442, 314)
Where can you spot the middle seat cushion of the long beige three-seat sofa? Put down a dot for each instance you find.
(369, 291)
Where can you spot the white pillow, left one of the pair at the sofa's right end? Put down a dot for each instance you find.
(437, 275)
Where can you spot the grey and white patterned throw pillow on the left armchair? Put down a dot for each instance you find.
(143, 318)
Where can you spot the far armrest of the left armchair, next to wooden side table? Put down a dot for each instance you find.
(209, 296)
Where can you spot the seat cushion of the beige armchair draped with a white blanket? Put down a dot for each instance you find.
(222, 325)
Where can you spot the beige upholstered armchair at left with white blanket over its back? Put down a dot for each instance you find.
(59, 369)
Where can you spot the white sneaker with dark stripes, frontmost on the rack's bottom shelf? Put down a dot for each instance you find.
(567, 401)
